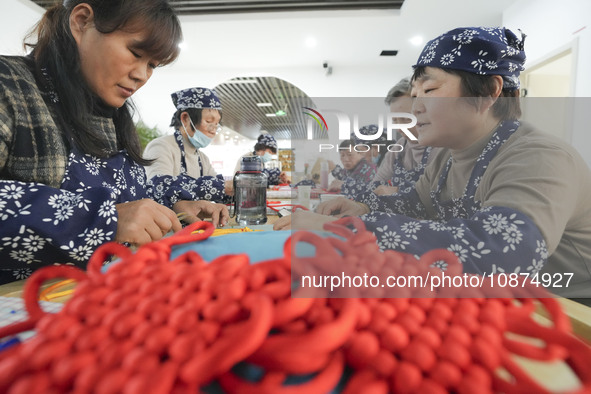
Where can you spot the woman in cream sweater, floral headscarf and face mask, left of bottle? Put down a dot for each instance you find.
(180, 169)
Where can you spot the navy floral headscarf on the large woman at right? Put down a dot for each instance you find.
(478, 50)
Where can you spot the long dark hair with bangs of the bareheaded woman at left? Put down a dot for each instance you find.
(56, 51)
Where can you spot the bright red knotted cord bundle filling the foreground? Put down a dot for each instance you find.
(151, 325)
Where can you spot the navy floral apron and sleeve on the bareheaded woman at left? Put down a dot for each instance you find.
(40, 225)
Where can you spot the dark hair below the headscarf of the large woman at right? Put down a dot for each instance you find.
(506, 107)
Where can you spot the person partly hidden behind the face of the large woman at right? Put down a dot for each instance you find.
(401, 170)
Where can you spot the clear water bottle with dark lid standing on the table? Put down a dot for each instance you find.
(250, 192)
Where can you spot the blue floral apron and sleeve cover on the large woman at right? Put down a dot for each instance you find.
(487, 240)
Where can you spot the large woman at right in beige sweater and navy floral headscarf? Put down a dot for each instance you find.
(504, 197)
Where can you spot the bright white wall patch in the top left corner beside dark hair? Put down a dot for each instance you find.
(17, 17)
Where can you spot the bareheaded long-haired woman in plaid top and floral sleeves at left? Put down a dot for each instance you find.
(71, 175)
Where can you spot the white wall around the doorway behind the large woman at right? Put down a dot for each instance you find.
(552, 27)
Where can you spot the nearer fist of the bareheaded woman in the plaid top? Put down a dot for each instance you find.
(143, 221)
